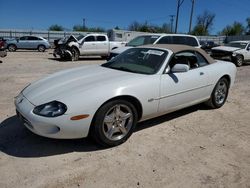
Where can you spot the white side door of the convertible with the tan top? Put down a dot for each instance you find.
(181, 89)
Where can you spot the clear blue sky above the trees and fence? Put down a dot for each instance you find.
(33, 14)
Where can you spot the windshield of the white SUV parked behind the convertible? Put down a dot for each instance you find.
(143, 40)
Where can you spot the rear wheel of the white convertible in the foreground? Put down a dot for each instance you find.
(219, 94)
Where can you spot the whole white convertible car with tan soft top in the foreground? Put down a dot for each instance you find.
(106, 101)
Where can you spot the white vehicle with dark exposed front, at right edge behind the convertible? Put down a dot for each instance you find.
(237, 52)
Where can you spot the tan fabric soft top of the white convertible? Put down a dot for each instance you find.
(175, 48)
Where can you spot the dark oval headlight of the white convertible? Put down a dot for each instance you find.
(51, 109)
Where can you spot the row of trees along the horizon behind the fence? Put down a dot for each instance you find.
(203, 26)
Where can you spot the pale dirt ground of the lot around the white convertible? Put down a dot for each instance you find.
(195, 147)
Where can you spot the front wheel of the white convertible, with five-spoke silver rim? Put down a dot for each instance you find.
(114, 123)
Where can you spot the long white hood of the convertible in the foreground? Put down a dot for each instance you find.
(74, 81)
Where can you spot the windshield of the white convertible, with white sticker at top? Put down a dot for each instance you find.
(138, 60)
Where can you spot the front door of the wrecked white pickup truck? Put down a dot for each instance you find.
(89, 46)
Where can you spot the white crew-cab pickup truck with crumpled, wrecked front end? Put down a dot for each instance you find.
(71, 48)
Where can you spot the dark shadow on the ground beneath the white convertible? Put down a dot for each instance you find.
(16, 140)
